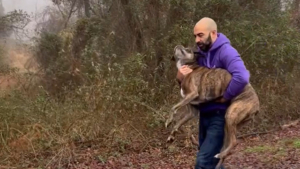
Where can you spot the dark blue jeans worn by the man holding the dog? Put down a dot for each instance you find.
(211, 135)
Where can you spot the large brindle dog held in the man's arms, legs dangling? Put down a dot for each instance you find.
(204, 85)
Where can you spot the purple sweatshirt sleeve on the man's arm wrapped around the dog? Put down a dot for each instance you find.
(235, 66)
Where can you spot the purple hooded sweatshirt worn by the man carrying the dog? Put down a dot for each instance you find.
(223, 55)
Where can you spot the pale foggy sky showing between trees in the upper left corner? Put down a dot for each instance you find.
(32, 7)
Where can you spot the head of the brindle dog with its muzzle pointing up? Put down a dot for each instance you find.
(184, 56)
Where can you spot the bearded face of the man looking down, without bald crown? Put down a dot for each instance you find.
(203, 41)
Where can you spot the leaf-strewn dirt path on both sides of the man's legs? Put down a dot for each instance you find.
(270, 151)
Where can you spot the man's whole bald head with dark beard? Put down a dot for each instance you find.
(205, 32)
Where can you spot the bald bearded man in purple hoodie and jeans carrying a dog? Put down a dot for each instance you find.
(218, 53)
